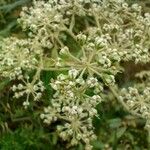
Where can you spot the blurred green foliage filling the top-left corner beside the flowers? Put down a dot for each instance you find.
(9, 11)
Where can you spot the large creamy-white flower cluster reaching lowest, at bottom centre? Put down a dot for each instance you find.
(74, 107)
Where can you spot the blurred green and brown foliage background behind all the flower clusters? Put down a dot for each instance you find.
(22, 130)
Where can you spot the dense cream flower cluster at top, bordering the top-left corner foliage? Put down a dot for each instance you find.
(51, 15)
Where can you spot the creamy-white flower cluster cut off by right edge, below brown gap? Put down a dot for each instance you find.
(137, 97)
